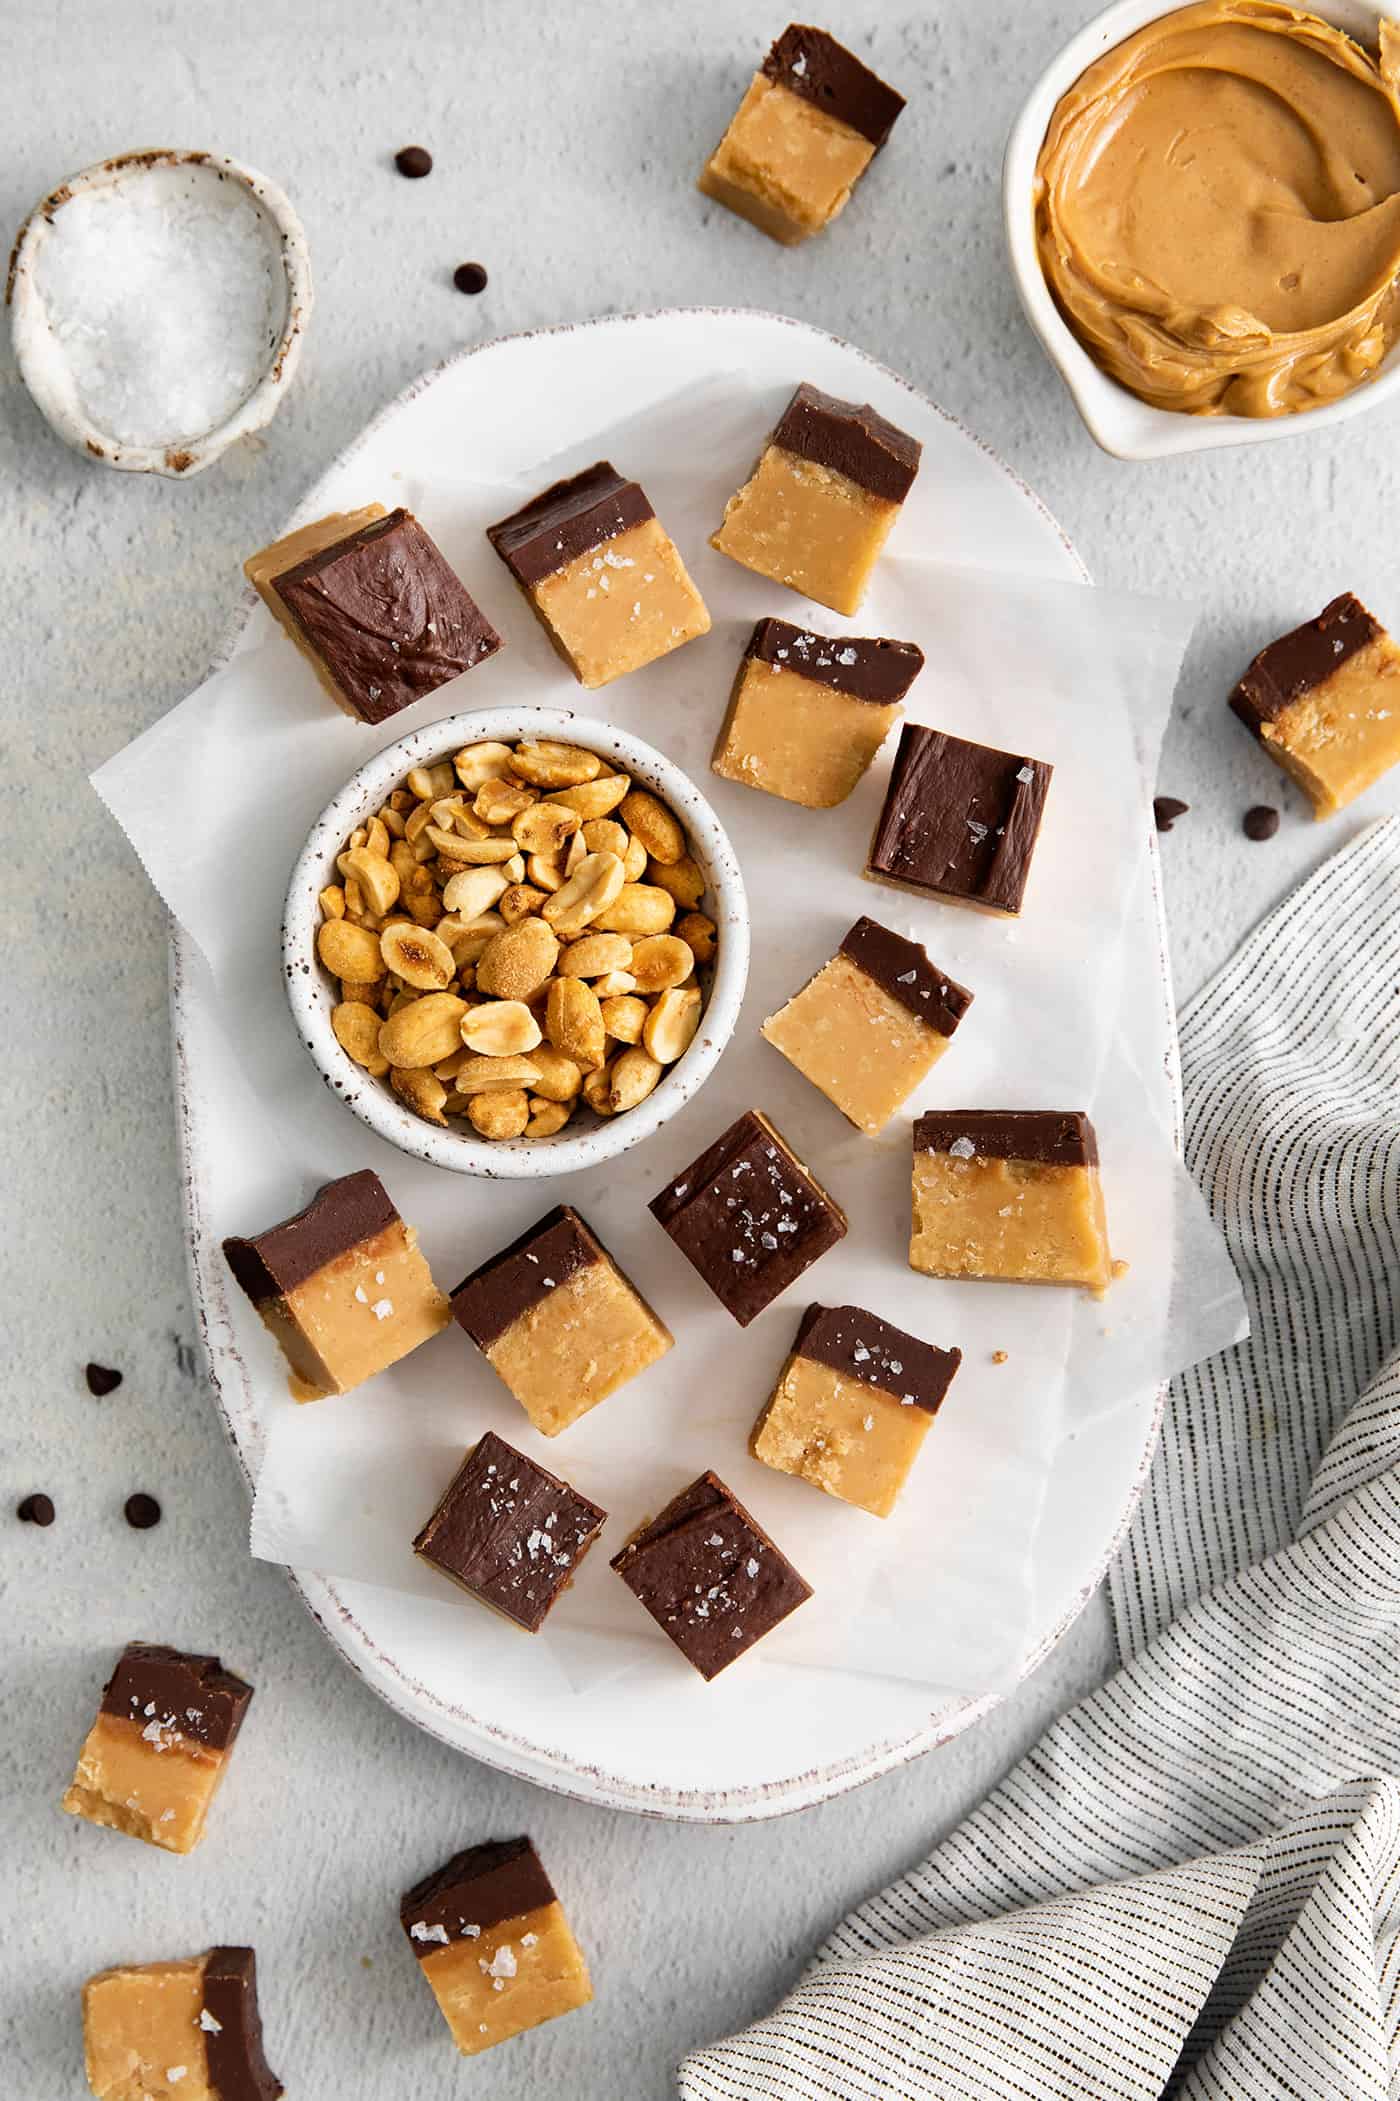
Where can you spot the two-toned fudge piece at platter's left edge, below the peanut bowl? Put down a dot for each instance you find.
(342, 1287)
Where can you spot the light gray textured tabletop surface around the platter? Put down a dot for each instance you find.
(567, 148)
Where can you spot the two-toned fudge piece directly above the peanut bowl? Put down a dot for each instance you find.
(602, 575)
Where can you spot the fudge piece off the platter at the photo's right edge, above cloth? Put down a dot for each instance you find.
(1325, 705)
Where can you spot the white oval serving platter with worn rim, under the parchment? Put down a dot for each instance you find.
(806, 1736)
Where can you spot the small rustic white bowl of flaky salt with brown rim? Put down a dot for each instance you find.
(159, 306)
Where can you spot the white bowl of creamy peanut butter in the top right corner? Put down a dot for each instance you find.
(1203, 217)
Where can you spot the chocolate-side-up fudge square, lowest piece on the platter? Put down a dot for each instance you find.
(709, 1575)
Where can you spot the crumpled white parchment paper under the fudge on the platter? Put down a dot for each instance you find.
(943, 1592)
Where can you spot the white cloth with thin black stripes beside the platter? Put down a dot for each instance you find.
(1193, 1886)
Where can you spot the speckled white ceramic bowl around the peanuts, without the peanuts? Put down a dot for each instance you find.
(314, 993)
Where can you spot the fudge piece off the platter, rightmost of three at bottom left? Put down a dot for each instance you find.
(493, 1944)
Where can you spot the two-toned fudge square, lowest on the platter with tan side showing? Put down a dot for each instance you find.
(852, 1407)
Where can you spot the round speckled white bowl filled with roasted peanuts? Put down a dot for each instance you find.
(516, 942)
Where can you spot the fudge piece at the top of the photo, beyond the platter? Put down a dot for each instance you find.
(810, 125)
